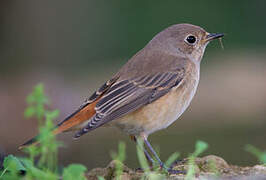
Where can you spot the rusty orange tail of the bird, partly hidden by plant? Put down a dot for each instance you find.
(73, 122)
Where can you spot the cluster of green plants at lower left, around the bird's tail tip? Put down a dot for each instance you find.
(46, 153)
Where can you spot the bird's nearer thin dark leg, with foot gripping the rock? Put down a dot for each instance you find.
(162, 165)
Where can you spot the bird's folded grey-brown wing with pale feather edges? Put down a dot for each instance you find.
(127, 95)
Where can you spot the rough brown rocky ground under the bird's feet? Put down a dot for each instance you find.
(207, 168)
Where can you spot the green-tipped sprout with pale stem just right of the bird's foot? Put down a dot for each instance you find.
(200, 147)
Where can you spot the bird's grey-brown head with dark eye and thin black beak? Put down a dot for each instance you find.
(185, 40)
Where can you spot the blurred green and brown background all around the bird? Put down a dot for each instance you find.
(74, 46)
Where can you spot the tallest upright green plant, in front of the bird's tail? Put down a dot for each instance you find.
(37, 102)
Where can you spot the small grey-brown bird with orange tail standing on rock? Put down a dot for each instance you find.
(149, 92)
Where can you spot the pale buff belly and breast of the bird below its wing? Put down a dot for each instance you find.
(159, 114)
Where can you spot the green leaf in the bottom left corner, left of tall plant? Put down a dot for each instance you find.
(11, 163)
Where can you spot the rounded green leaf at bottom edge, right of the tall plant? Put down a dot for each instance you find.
(74, 171)
